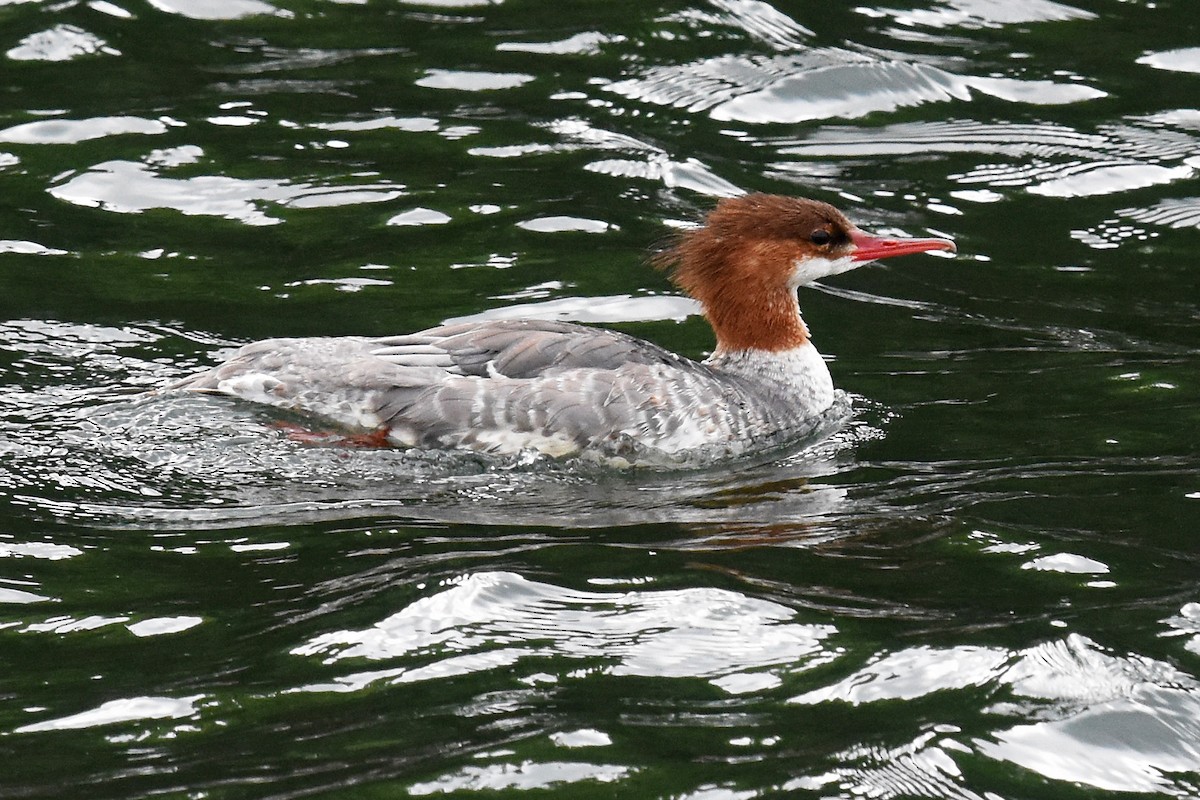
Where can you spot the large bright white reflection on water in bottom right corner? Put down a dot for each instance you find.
(1121, 724)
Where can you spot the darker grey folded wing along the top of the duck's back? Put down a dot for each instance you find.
(520, 350)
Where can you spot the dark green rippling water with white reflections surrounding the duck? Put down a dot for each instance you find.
(983, 586)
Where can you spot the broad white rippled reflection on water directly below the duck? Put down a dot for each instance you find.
(493, 619)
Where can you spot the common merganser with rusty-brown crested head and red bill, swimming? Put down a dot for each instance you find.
(565, 389)
